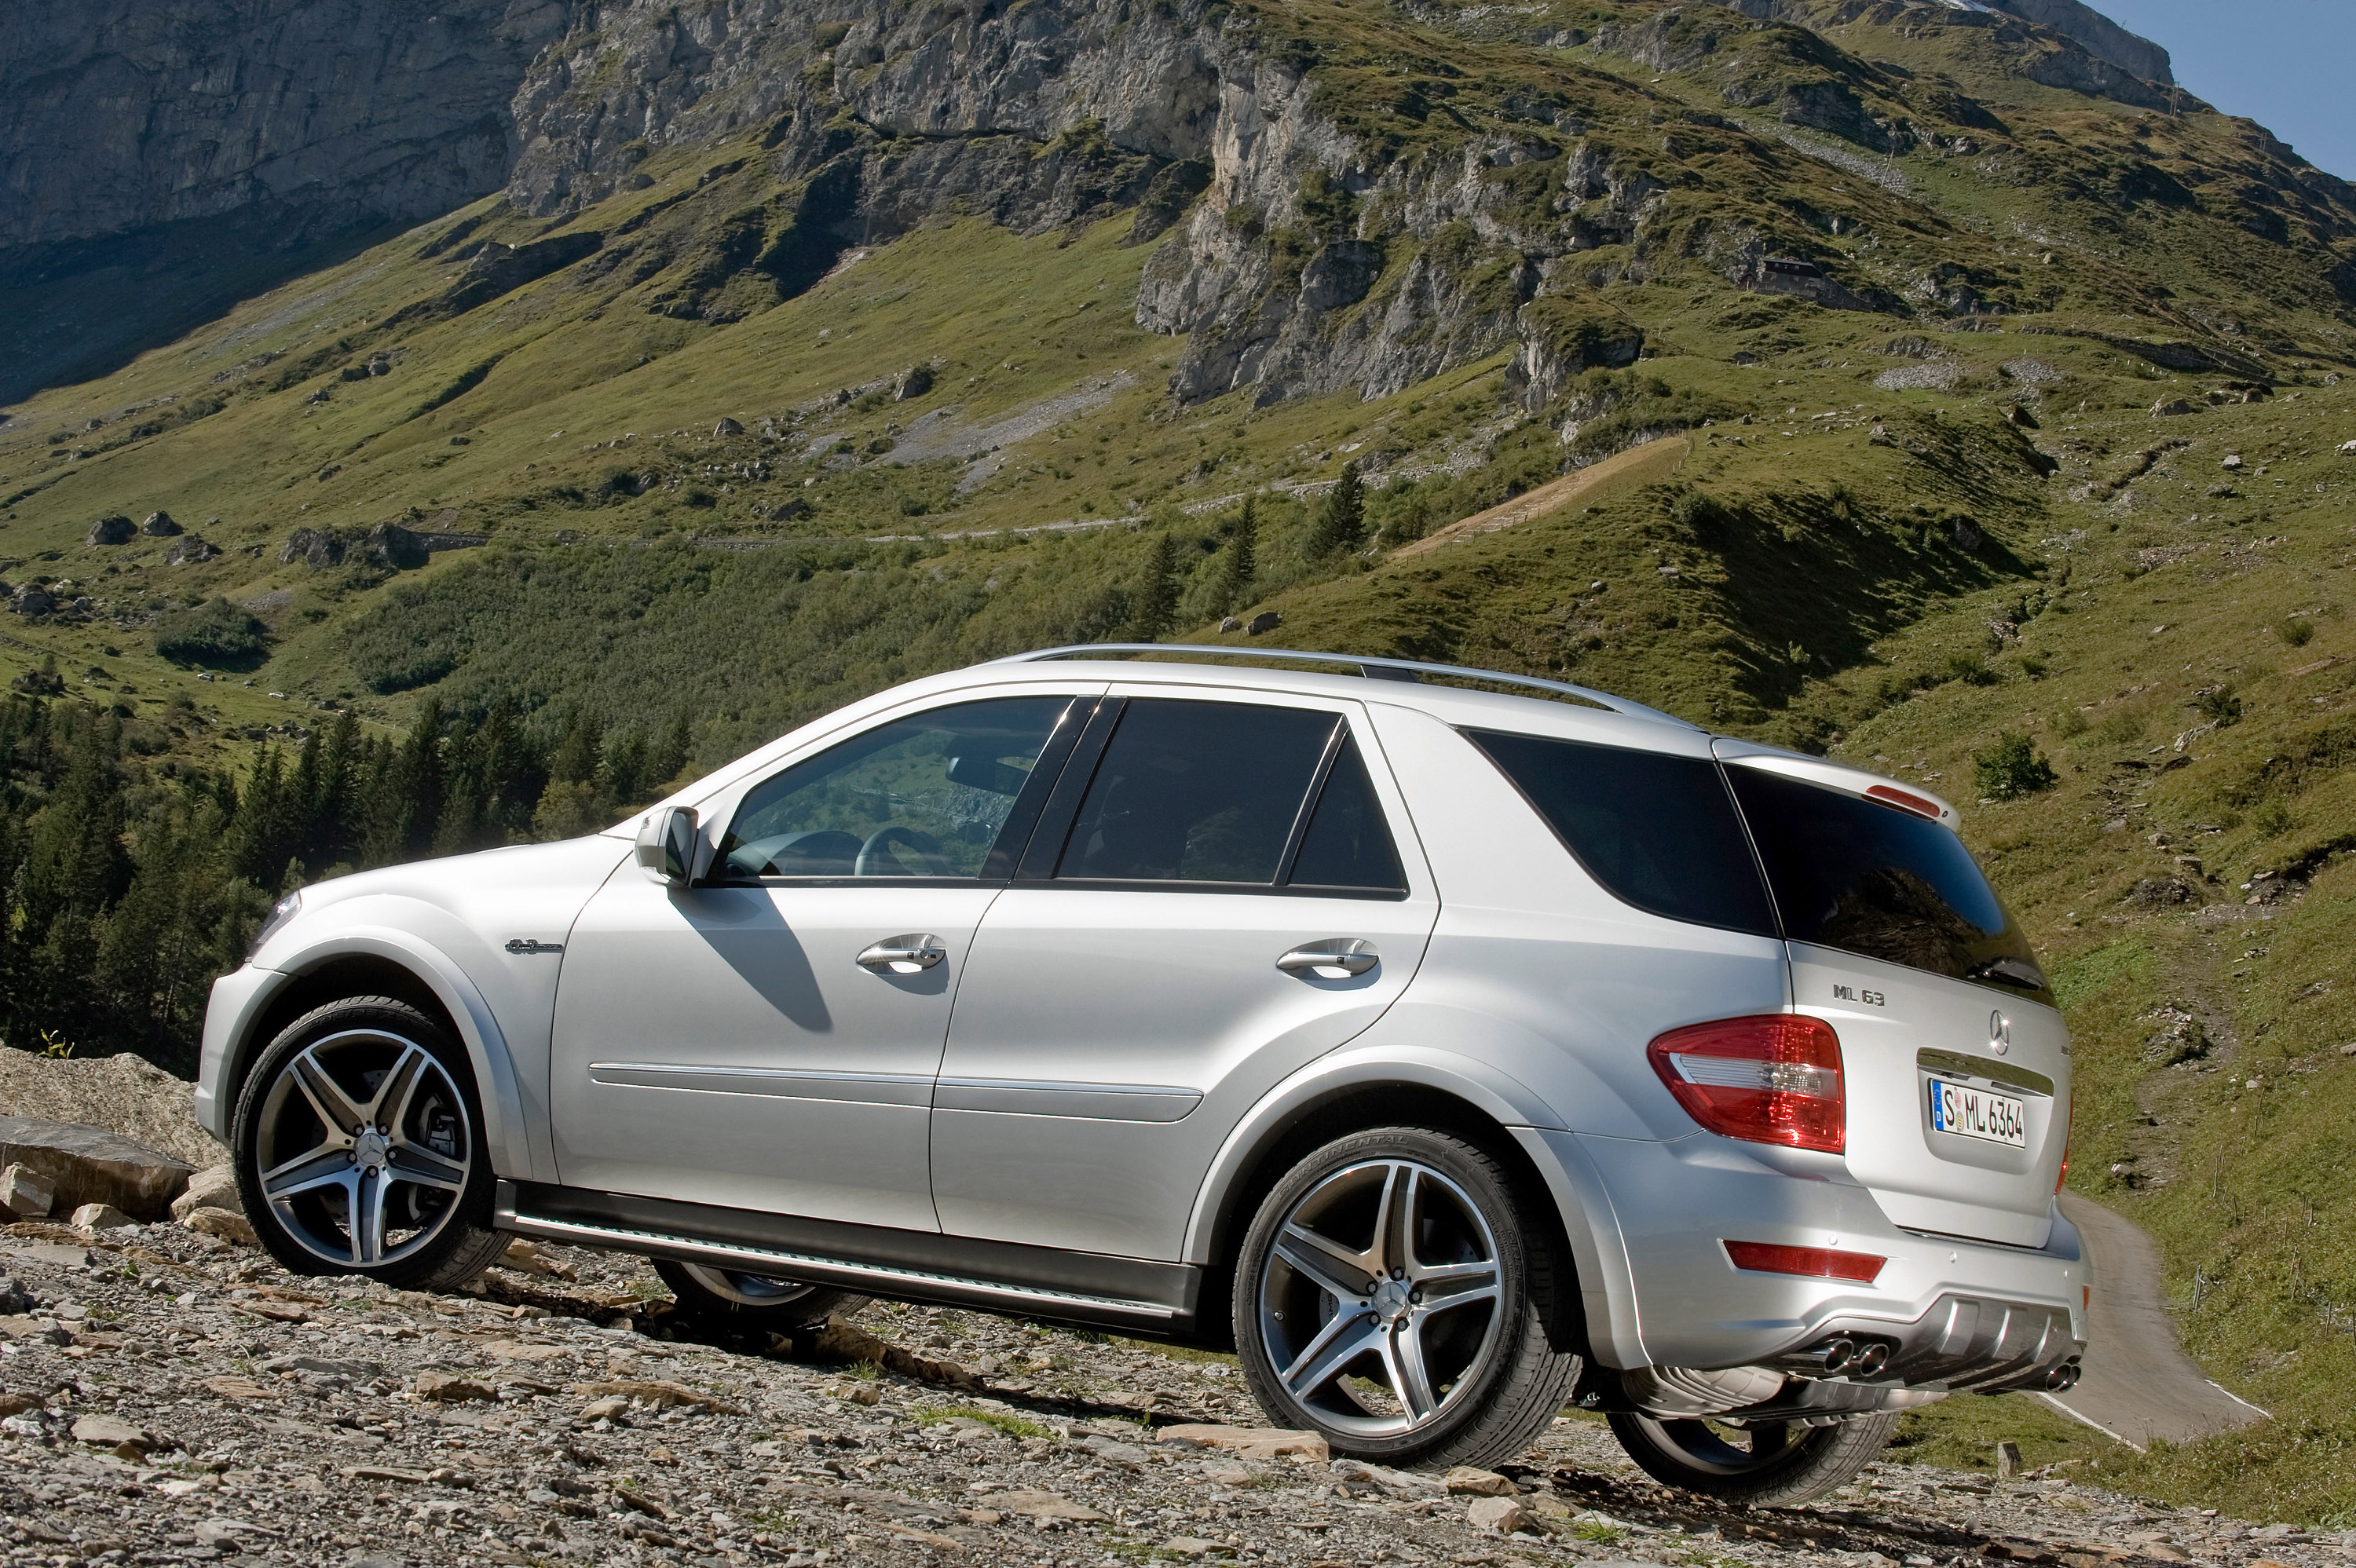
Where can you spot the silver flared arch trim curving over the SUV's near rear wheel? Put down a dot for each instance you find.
(1587, 1211)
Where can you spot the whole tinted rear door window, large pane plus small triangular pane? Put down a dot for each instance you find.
(1212, 792)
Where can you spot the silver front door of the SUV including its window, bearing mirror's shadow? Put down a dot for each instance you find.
(769, 1037)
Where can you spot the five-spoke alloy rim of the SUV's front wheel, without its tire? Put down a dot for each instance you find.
(364, 1148)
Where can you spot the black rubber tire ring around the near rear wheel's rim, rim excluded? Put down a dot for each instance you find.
(1516, 1308)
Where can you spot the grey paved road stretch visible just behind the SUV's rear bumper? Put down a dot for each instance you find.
(2140, 1386)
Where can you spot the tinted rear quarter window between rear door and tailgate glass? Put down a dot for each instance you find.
(1657, 830)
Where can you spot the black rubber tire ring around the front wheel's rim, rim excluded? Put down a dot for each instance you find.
(399, 1021)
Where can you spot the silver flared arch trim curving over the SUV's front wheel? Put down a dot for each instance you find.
(399, 966)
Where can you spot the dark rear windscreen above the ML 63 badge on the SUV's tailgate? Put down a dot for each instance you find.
(1881, 882)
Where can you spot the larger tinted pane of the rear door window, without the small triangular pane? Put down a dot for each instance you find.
(1196, 792)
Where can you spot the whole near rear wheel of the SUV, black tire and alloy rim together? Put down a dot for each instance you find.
(1337, 1315)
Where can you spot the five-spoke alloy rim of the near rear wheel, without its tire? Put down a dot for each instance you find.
(1382, 1298)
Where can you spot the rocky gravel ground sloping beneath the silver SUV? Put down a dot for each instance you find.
(173, 1397)
